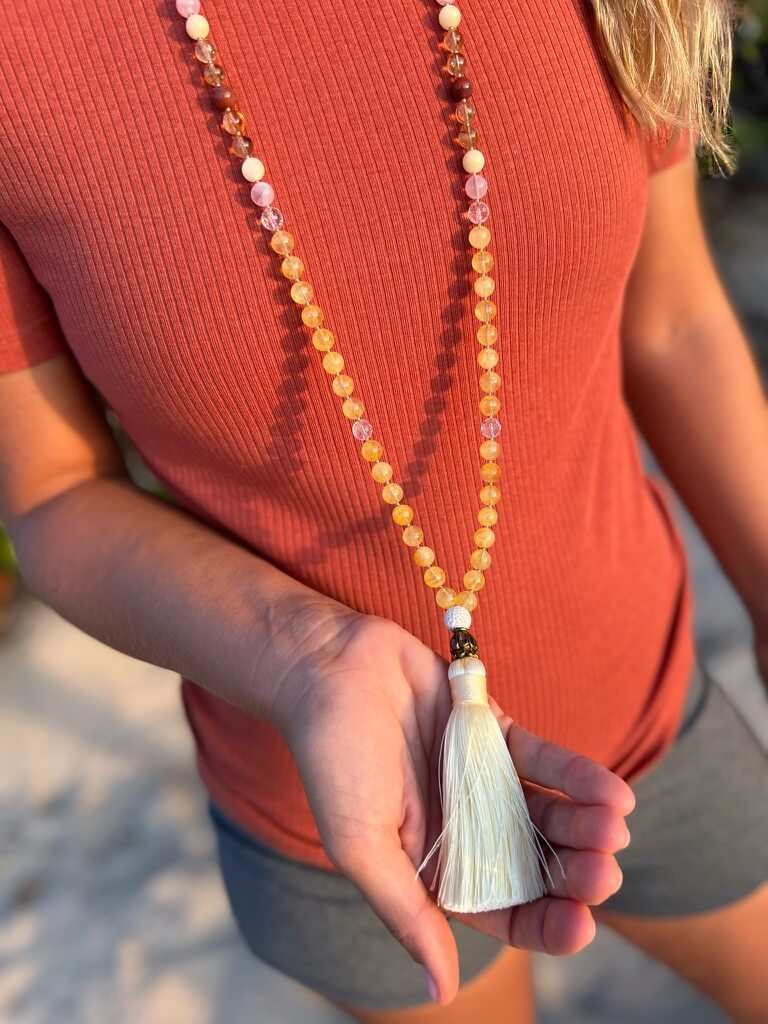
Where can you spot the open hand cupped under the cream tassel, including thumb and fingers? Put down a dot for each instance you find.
(364, 717)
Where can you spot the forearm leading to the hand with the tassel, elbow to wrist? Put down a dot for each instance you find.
(153, 582)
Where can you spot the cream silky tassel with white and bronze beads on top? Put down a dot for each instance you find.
(490, 855)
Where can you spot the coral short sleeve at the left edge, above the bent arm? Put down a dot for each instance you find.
(30, 331)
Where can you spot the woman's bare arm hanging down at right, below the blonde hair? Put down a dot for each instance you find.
(695, 392)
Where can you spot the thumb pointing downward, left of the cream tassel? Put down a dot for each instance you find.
(385, 874)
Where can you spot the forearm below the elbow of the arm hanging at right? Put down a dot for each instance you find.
(699, 402)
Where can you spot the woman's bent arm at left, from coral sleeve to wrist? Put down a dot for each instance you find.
(140, 575)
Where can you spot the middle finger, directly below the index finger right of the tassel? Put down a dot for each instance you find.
(583, 827)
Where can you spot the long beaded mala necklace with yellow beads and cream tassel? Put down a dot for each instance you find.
(490, 856)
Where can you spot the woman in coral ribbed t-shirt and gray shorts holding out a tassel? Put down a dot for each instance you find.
(136, 268)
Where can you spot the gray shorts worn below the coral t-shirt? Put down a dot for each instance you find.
(700, 840)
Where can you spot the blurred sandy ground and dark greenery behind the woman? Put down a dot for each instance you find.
(111, 906)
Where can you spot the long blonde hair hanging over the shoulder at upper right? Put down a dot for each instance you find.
(671, 61)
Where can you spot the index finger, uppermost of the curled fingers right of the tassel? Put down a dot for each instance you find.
(550, 765)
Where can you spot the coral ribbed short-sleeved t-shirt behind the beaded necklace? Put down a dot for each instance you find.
(127, 236)
